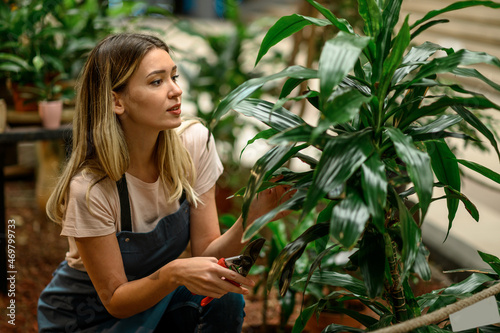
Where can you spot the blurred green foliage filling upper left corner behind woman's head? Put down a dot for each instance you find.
(44, 42)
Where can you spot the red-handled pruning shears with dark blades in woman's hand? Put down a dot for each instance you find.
(241, 264)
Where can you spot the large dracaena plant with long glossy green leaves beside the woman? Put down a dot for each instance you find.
(381, 137)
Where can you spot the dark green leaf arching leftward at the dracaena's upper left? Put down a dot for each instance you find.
(285, 27)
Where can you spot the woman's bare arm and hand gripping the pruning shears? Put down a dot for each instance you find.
(103, 262)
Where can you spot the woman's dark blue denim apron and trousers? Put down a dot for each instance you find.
(70, 302)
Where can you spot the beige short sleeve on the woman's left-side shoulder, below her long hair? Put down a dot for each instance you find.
(94, 218)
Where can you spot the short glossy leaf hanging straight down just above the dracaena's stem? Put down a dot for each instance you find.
(374, 182)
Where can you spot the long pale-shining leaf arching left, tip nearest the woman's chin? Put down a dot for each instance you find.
(249, 87)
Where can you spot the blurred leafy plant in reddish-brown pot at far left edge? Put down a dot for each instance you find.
(28, 40)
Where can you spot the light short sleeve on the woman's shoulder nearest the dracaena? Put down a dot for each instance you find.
(205, 157)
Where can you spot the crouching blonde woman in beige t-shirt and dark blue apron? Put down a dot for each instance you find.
(135, 191)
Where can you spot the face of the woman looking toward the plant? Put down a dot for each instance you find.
(152, 98)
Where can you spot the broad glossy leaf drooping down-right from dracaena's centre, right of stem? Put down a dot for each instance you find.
(418, 166)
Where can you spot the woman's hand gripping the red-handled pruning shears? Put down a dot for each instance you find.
(203, 276)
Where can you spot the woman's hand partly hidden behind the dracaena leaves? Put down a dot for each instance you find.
(269, 199)
